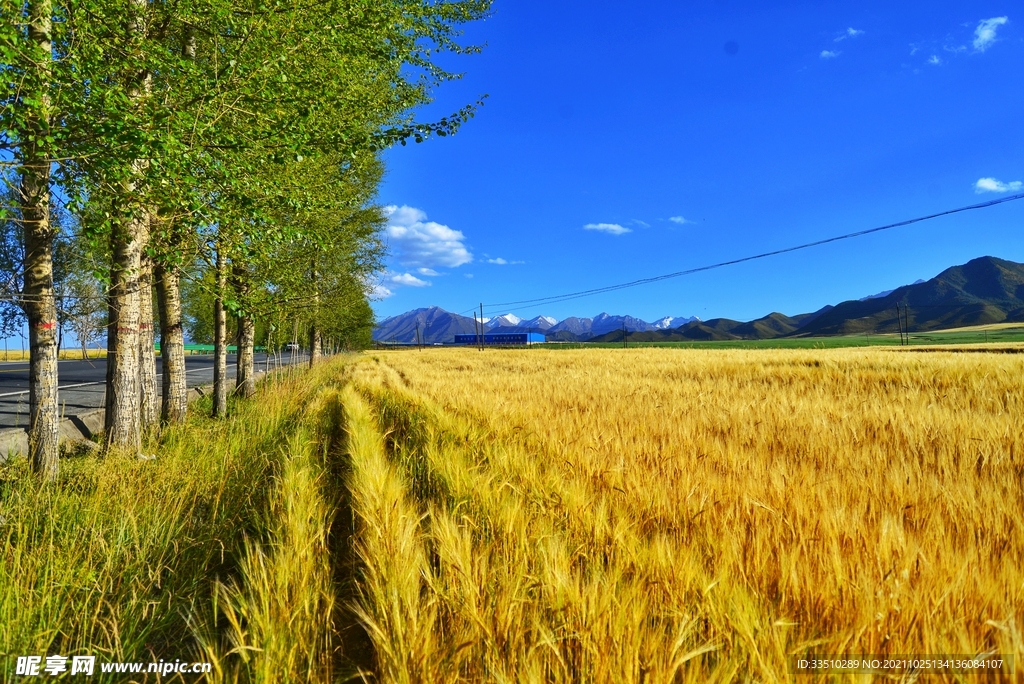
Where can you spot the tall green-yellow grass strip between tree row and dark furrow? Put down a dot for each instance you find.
(217, 551)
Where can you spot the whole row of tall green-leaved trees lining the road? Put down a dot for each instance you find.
(240, 136)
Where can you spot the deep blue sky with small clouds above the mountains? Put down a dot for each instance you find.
(625, 141)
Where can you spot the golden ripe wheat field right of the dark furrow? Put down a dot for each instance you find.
(661, 516)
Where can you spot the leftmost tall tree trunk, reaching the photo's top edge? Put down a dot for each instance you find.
(45, 421)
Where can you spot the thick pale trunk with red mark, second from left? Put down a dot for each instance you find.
(124, 415)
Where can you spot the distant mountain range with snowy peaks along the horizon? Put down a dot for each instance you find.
(983, 291)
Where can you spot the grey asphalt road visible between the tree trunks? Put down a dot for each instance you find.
(82, 383)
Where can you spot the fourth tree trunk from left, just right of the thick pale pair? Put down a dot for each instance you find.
(175, 393)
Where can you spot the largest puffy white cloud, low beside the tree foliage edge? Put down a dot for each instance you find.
(418, 242)
